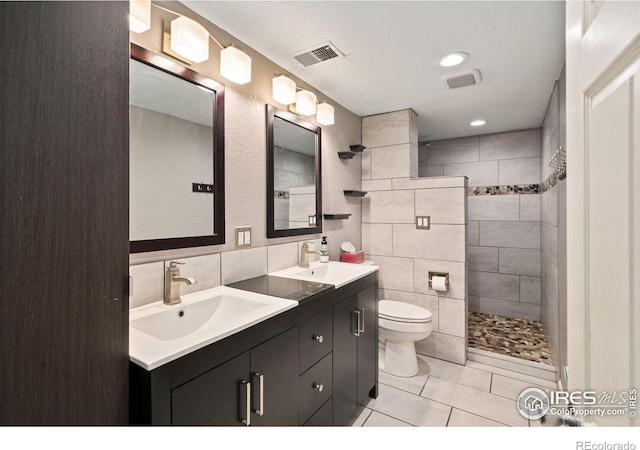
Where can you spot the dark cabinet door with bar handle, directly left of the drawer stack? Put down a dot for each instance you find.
(274, 380)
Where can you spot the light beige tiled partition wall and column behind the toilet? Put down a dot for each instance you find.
(390, 238)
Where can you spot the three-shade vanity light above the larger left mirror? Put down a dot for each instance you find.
(190, 40)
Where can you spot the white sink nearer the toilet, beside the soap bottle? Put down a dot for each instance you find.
(333, 272)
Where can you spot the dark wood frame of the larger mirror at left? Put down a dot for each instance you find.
(217, 235)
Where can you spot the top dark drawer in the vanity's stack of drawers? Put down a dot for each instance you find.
(316, 339)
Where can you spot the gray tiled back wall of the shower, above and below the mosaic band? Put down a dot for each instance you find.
(504, 231)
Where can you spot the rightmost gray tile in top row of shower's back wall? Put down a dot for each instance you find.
(510, 145)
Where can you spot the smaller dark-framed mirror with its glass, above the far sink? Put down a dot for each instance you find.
(294, 186)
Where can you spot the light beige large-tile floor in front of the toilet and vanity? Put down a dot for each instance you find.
(445, 394)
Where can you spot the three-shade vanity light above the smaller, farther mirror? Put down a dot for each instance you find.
(306, 102)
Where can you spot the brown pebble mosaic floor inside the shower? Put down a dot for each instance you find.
(511, 337)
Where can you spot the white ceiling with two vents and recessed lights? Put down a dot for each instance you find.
(391, 51)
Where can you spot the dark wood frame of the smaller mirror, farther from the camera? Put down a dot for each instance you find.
(273, 112)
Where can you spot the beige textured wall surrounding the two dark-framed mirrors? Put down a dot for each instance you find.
(245, 164)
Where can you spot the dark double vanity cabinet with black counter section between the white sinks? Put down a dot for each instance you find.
(312, 364)
